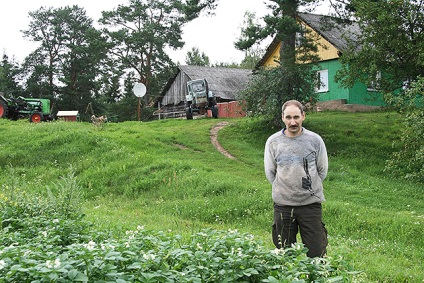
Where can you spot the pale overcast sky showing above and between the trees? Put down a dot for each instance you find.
(213, 35)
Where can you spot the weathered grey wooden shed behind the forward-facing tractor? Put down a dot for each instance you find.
(224, 83)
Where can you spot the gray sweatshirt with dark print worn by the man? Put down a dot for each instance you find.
(296, 167)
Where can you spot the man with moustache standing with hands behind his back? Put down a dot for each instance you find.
(296, 163)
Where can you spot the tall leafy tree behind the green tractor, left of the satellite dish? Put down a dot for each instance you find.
(65, 65)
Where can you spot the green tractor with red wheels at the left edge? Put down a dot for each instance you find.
(35, 109)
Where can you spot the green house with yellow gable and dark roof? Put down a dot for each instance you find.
(331, 43)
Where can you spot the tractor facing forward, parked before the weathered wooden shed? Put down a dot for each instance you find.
(199, 99)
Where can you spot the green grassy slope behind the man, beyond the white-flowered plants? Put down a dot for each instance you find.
(166, 175)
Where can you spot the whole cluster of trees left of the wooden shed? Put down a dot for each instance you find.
(76, 64)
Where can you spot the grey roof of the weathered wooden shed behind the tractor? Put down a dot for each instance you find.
(223, 82)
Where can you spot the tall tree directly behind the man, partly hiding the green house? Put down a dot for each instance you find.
(295, 78)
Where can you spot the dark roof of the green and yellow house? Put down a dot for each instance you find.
(328, 27)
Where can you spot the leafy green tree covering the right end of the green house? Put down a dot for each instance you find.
(385, 52)
